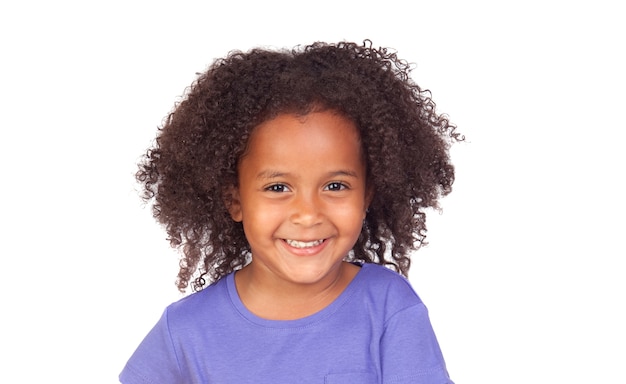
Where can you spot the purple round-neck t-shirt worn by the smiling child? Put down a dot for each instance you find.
(376, 331)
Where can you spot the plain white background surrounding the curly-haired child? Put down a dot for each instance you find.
(522, 276)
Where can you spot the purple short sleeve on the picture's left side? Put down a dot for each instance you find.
(154, 361)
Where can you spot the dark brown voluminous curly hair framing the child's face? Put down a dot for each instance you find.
(191, 167)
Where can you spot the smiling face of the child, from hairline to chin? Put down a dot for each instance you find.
(302, 196)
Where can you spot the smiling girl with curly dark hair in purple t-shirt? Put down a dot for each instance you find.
(294, 181)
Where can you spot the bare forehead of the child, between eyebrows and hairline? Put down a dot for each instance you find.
(310, 140)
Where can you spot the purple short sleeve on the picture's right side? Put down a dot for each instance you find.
(410, 352)
